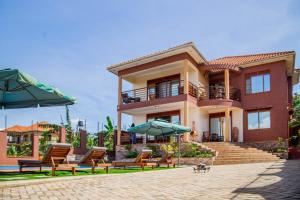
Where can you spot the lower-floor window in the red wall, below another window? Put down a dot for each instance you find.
(258, 120)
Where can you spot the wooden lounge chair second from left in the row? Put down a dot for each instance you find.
(95, 158)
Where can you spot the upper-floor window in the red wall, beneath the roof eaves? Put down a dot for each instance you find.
(258, 83)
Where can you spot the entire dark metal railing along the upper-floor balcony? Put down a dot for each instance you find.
(176, 88)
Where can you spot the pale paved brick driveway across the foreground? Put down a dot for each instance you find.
(279, 180)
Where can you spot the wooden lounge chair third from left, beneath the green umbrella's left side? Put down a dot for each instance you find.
(142, 160)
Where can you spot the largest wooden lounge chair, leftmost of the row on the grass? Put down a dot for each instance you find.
(54, 157)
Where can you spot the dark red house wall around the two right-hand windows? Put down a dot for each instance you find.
(277, 99)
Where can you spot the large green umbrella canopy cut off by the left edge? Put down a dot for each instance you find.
(20, 90)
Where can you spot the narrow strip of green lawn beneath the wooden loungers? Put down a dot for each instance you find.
(12, 176)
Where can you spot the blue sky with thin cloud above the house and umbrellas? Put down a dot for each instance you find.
(69, 44)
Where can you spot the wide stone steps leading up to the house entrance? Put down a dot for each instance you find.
(236, 153)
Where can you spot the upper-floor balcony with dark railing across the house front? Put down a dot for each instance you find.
(174, 90)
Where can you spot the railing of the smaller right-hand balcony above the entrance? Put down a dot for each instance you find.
(218, 92)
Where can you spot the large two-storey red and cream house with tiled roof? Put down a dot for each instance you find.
(245, 98)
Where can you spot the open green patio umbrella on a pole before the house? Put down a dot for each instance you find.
(160, 128)
